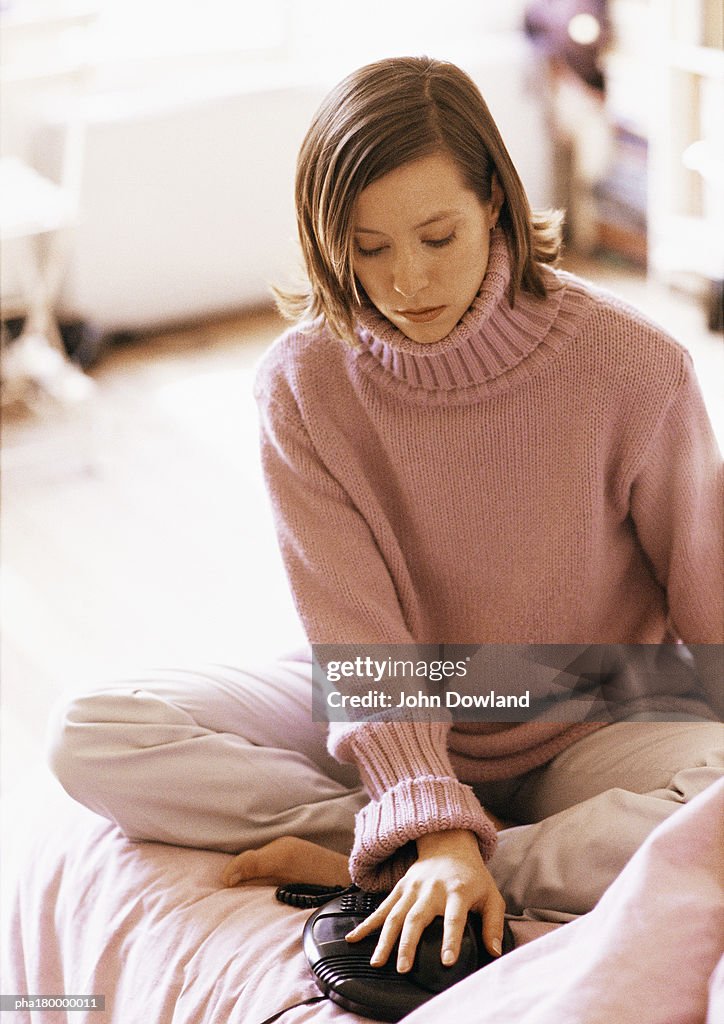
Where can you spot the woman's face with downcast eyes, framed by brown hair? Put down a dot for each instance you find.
(421, 245)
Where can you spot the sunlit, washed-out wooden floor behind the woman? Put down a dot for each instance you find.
(136, 529)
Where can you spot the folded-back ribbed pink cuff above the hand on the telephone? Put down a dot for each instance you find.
(387, 829)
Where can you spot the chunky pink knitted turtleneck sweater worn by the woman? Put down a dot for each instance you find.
(546, 474)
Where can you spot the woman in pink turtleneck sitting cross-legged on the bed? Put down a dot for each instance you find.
(462, 445)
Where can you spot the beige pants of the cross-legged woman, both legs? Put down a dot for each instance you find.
(229, 760)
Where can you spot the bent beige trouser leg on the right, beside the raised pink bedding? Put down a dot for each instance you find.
(592, 806)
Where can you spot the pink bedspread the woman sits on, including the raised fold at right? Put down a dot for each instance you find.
(150, 927)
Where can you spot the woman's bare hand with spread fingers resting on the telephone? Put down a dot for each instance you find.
(448, 880)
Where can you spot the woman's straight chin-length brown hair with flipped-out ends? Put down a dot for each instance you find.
(379, 118)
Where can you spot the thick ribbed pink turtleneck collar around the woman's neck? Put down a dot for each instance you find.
(491, 339)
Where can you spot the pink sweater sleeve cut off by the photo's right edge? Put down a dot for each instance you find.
(677, 508)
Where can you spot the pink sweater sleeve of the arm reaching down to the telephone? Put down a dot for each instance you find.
(346, 594)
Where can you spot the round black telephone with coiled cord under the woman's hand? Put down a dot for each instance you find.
(343, 969)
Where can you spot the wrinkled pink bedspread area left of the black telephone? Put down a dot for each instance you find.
(151, 927)
